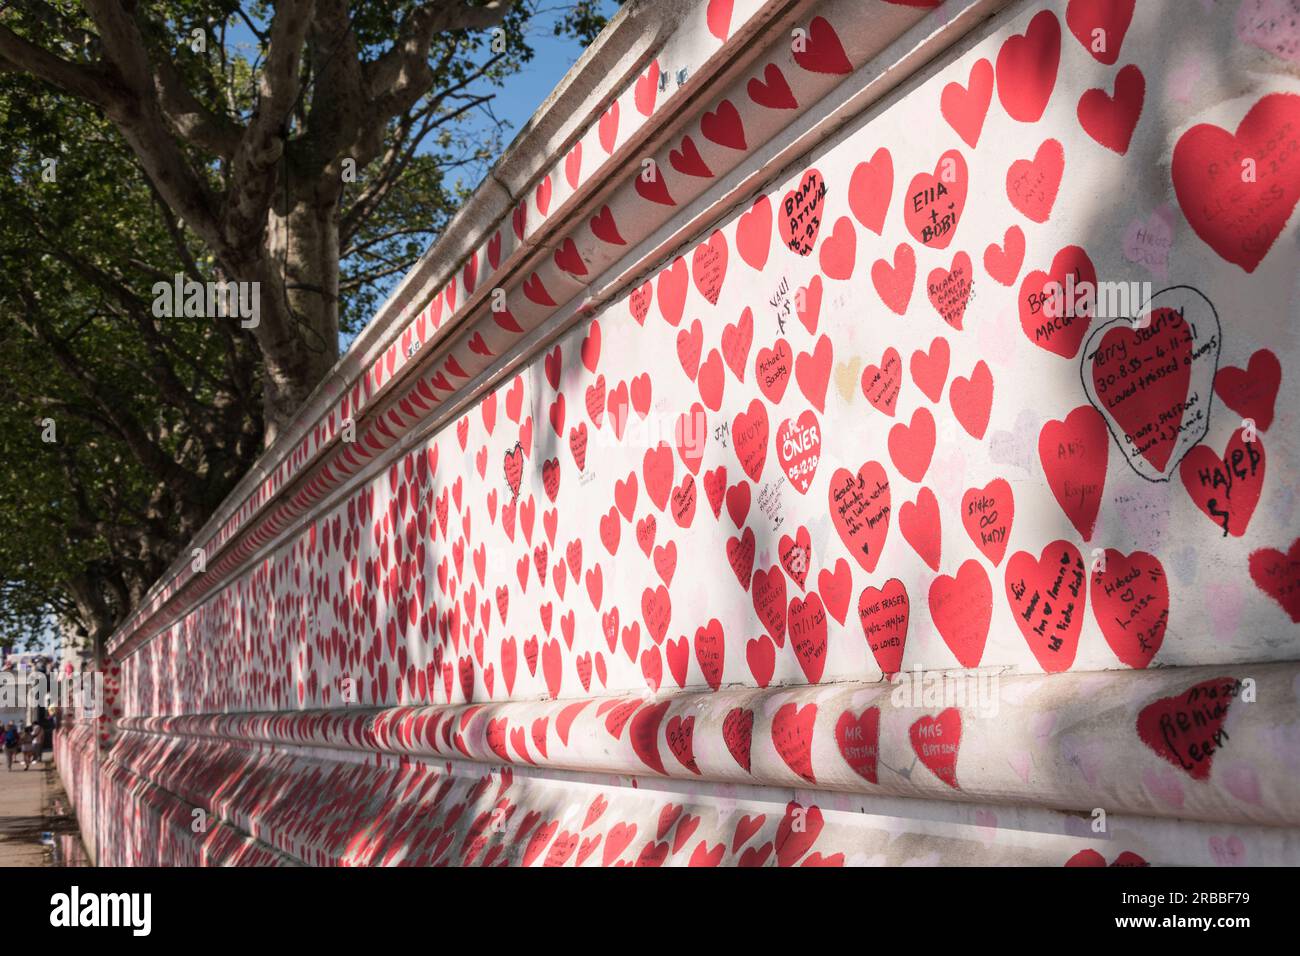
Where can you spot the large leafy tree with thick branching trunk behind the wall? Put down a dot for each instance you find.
(311, 146)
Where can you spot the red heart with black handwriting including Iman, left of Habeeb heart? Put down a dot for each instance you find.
(1047, 598)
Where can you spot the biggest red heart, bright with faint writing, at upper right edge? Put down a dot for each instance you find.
(1240, 217)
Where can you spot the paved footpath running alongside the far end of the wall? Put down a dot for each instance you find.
(32, 803)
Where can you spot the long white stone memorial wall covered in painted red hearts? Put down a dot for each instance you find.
(846, 434)
